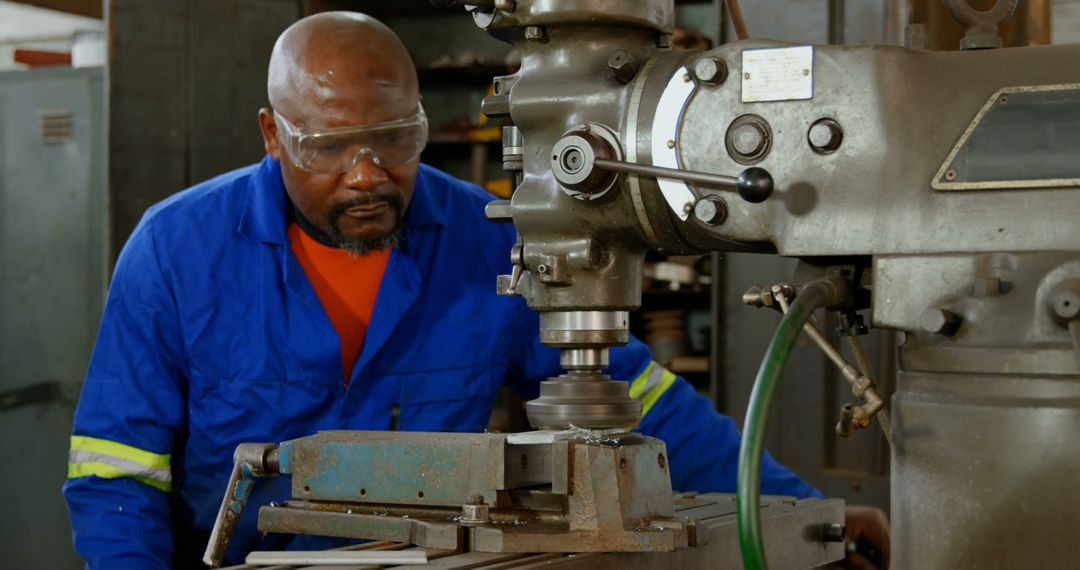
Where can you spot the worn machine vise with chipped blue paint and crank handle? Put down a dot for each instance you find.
(574, 491)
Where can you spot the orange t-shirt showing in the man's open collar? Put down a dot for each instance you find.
(346, 286)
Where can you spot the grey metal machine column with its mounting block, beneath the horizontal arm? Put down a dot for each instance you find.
(982, 477)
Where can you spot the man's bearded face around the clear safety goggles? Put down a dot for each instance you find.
(362, 209)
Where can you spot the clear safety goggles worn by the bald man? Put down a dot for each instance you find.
(339, 151)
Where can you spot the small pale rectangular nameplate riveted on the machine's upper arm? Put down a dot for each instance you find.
(778, 74)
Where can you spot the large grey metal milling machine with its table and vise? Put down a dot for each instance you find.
(936, 189)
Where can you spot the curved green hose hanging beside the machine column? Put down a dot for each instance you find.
(813, 297)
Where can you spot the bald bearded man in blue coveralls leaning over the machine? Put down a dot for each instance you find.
(327, 288)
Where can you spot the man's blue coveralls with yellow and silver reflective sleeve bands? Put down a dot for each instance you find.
(213, 336)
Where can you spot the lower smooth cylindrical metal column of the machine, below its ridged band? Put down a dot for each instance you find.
(984, 471)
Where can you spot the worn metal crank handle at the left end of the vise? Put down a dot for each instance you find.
(251, 462)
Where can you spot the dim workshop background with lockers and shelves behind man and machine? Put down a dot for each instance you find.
(110, 108)
